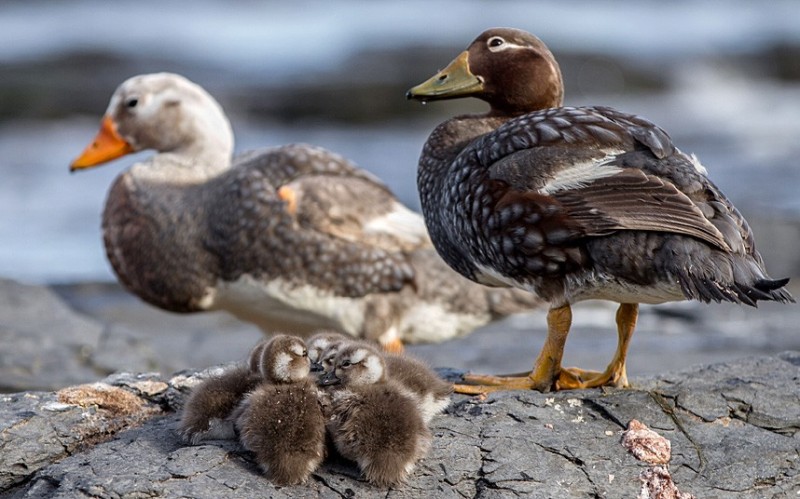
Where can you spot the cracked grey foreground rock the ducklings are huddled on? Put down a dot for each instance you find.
(734, 430)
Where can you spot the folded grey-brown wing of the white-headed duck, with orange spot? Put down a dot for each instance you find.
(277, 216)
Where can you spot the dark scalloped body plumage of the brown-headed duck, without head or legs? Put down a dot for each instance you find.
(494, 214)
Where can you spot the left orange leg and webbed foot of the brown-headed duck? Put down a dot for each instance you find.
(546, 371)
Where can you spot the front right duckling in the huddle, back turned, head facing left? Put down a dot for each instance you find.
(373, 421)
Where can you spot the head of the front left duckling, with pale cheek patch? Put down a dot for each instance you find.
(285, 360)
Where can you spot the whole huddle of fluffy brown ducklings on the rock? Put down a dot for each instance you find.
(292, 396)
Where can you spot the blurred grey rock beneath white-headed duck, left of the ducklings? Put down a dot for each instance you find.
(49, 342)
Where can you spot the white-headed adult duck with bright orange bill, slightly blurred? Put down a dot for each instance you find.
(292, 238)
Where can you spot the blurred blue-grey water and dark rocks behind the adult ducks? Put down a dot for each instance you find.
(722, 77)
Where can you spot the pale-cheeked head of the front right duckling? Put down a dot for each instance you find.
(356, 365)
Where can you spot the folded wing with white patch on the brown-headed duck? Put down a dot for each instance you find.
(592, 166)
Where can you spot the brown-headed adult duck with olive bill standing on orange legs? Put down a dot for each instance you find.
(573, 204)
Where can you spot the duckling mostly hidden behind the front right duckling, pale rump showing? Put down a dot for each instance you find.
(430, 392)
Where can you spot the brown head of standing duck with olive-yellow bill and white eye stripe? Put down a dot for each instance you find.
(509, 68)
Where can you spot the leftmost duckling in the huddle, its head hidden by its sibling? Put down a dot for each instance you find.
(207, 414)
